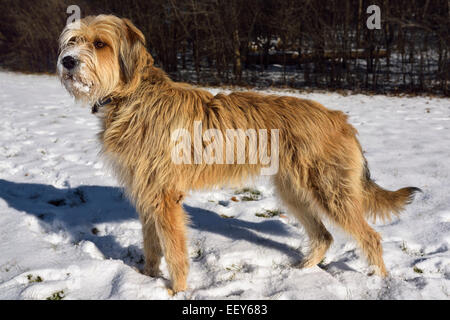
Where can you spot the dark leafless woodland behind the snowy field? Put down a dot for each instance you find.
(292, 43)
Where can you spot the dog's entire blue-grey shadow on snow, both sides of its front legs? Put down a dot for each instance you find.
(88, 213)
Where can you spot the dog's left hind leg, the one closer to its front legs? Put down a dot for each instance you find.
(300, 204)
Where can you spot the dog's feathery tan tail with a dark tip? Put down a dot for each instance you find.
(382, 203)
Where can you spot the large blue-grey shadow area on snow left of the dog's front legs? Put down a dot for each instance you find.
(81, 214)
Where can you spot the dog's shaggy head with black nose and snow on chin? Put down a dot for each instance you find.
(100, 56)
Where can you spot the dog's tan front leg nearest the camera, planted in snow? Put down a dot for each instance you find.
(170, 224)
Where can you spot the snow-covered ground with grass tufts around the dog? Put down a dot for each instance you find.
(66, 230)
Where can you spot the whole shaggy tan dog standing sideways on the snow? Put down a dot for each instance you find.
(322, 169)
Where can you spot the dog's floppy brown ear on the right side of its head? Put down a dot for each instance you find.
(132, 53)
